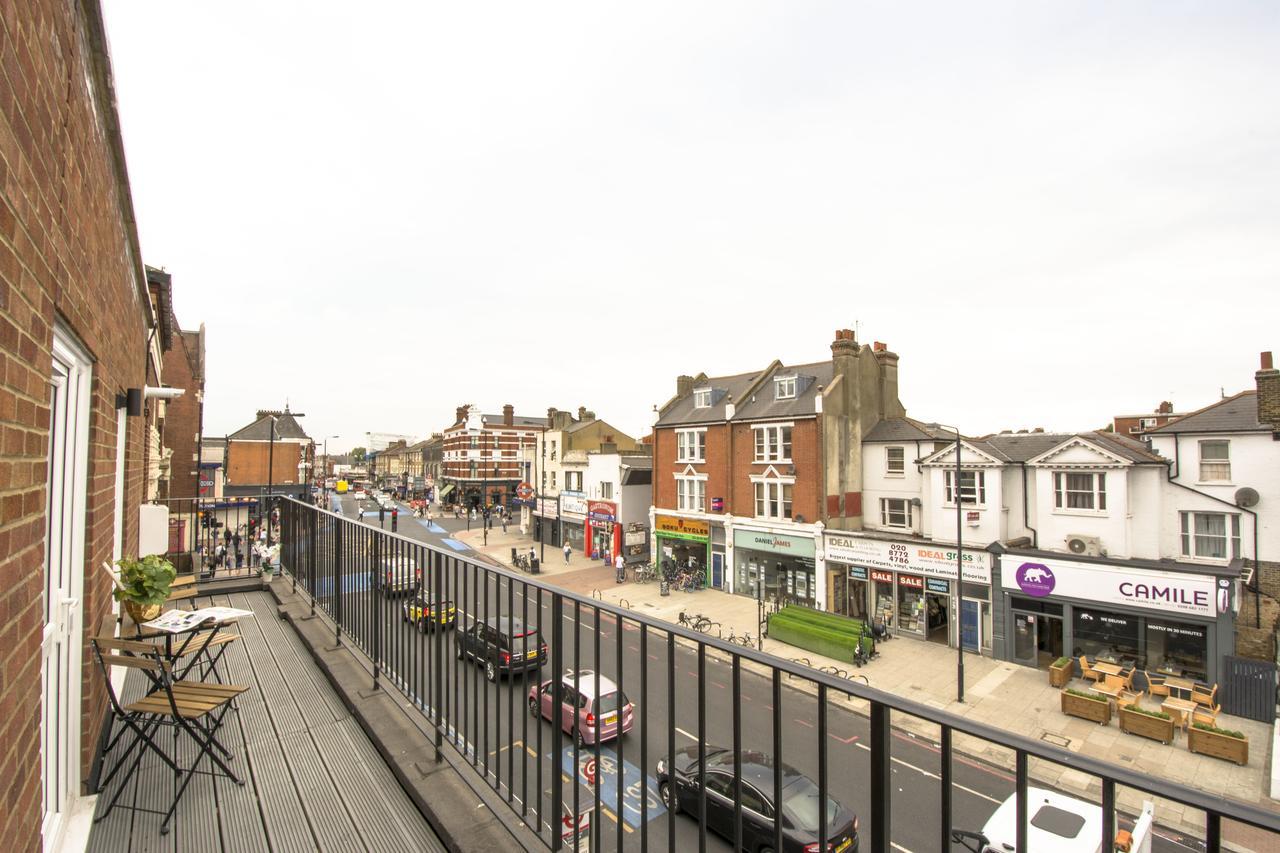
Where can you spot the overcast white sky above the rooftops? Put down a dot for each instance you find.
(1054, 213)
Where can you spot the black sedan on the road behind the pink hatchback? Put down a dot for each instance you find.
(801, 802)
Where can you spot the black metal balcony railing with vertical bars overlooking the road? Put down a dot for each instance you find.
(715, 718)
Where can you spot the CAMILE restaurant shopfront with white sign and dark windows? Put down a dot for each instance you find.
(1150, 619)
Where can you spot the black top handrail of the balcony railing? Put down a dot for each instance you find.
(1232, 810)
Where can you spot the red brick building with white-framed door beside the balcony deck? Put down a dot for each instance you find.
(76, 320)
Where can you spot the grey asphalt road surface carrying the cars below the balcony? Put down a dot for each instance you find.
(515, 752)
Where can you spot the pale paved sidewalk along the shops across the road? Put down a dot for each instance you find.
(1004, 695)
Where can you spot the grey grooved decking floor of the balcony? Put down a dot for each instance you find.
(313, 781)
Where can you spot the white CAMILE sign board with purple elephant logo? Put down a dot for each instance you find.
(1160, 591)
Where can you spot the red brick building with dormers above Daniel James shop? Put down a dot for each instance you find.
(749, 469)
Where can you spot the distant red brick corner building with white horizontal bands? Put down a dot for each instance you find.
(482, 460)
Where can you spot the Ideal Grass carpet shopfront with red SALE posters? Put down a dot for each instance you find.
(912, 586)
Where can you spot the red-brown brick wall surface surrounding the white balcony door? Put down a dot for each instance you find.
(65, 252)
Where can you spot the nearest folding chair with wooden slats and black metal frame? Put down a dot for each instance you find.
(185, 708)
